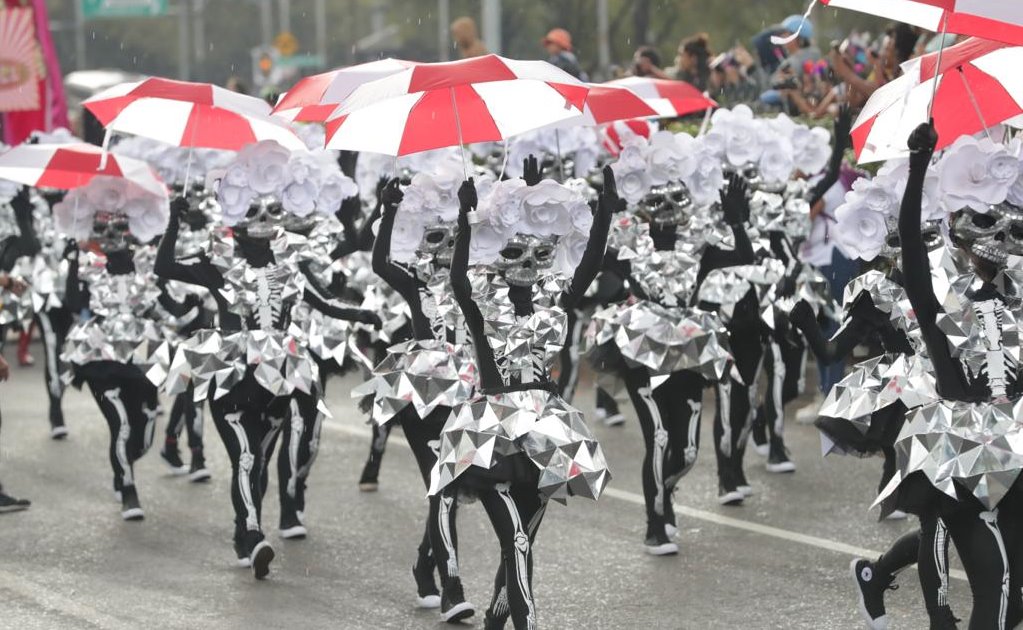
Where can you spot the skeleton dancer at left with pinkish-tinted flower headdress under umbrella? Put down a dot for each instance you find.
(121, 351)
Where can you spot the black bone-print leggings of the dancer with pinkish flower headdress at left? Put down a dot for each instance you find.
(129, 403)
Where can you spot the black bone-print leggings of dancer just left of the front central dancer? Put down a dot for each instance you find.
(440, 538)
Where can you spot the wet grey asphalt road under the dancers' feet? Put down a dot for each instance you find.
(779, 562)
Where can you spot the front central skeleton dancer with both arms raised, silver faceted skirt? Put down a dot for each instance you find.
(522, 443)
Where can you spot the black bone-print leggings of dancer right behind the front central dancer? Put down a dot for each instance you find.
(670, 418)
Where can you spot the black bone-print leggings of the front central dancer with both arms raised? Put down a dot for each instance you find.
(515, 512)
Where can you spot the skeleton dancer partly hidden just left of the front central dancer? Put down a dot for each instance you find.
(421, 381)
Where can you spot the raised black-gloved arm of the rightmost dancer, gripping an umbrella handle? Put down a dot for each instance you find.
(917, 268)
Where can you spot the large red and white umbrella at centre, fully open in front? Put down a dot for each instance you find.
(436, 106)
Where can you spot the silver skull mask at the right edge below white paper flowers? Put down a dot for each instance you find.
(993, 237)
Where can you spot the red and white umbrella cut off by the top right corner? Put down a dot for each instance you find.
(994, 20)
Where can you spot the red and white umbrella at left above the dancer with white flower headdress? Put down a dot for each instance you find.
(185, 114)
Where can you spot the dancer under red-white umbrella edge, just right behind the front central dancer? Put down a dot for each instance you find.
(666, 350)
